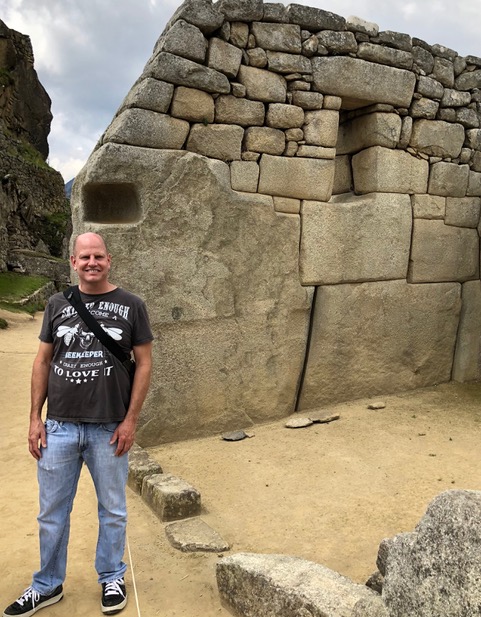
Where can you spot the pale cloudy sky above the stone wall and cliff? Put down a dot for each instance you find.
(88, 53)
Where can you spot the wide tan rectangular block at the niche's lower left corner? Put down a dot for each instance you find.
(296, 177)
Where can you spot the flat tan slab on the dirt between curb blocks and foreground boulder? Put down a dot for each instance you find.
(194, 535)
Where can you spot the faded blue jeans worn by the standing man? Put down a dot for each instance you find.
(69, 445)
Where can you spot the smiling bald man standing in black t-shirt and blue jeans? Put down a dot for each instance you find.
(92, 412)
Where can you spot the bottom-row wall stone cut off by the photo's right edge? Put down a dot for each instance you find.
(466, 366)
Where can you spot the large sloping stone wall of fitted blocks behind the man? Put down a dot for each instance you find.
(297, 196)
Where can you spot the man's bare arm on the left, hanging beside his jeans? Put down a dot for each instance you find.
(40, 372)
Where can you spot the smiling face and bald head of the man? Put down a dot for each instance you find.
(91, 260)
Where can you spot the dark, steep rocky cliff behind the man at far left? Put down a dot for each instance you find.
(34, 214)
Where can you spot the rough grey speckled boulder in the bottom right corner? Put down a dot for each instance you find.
(434, 570)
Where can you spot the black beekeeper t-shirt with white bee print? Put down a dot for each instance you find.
(87, 383)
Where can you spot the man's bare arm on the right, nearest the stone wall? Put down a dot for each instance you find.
(125, 433)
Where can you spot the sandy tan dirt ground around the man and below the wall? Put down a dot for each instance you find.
(328, 493)
